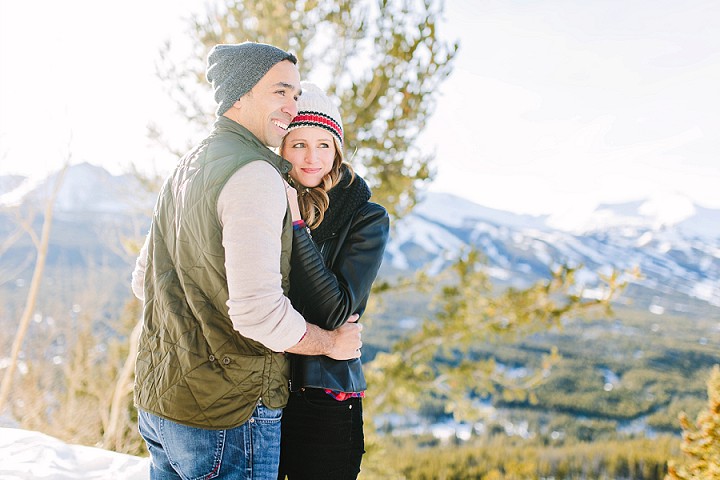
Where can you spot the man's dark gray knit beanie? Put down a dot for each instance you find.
(234, 69)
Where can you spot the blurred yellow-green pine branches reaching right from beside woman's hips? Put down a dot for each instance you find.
(439, 357)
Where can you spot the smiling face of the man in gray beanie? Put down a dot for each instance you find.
(270, 106)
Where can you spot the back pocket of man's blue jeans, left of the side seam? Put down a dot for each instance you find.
(195, 453)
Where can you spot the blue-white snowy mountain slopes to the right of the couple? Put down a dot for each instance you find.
(677, 248)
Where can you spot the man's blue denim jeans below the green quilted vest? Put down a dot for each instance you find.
(248, 452)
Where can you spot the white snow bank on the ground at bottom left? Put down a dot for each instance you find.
(32, 455)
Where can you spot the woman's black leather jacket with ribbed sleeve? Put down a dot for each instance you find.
(330, 278)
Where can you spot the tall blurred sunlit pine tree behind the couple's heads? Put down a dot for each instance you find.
(384, 60)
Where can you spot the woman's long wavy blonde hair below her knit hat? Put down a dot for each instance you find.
(314, 201)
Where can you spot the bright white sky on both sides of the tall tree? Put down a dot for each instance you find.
(553, 105)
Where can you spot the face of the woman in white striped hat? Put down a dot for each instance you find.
(311, 150)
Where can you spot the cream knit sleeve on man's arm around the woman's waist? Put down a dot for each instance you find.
(251, 208)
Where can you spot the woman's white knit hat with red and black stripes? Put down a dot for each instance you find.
(315, 109)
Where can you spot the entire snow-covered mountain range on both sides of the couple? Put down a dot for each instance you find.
(675, 244)
